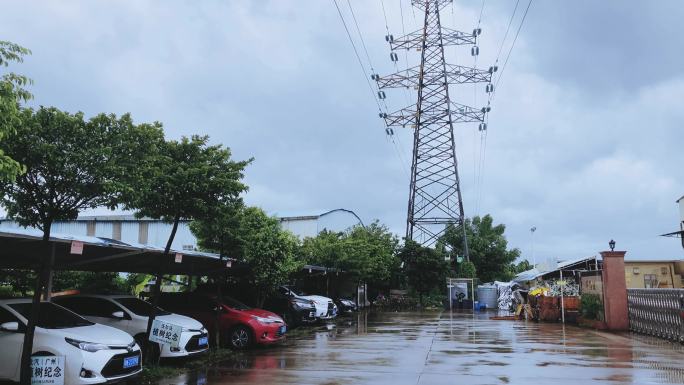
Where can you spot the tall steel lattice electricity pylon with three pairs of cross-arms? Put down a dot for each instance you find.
(435, 193)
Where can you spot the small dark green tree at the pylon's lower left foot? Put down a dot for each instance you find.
(425, 268)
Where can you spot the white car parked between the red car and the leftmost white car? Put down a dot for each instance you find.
(131, 314)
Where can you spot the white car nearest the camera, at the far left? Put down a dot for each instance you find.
(94, 354)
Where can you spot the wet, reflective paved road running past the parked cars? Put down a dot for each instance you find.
(445, 348)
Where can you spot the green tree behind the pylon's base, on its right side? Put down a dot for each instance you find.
(487, 244)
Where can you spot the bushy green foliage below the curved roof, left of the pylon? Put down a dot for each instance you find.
(367, 252)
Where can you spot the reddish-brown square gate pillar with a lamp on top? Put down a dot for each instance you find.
(615, 290)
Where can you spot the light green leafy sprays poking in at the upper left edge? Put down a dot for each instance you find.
(12, 93)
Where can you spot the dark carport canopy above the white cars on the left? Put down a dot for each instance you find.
(22, 249)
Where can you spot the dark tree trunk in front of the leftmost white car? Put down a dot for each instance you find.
(43, 270)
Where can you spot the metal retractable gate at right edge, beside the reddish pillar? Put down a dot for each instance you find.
(657, 312)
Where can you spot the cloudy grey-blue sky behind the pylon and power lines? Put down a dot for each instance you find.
(585, 134)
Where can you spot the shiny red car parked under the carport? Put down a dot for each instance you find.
(239, 325)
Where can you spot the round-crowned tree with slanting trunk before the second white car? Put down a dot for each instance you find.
(189, 179)
